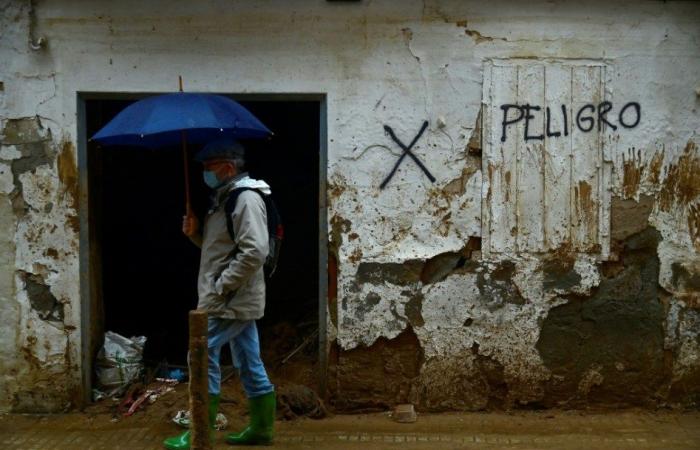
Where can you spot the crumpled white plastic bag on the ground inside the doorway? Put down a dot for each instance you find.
(119, 362)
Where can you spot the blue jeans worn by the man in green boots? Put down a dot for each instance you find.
(245, 349)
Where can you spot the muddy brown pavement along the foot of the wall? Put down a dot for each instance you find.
(519, 430)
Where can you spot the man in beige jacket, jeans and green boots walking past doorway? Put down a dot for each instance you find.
(231, 286)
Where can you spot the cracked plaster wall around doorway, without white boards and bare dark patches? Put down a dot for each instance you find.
(393, 63)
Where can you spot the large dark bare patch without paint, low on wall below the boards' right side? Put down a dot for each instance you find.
(618, 325)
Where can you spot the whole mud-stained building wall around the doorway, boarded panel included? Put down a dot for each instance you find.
(430, 306)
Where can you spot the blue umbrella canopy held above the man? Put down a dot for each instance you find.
(159, 121)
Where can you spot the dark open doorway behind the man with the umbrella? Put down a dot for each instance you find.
(144, 271)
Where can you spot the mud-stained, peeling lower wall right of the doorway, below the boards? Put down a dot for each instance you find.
(560, 329)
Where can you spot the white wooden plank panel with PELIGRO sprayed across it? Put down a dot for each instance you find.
(546, 181)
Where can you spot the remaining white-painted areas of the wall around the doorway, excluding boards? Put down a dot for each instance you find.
(393, 63)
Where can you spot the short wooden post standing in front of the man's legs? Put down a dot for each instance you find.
(199, 382)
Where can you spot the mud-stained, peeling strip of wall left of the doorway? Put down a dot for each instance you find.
(39, 301)
